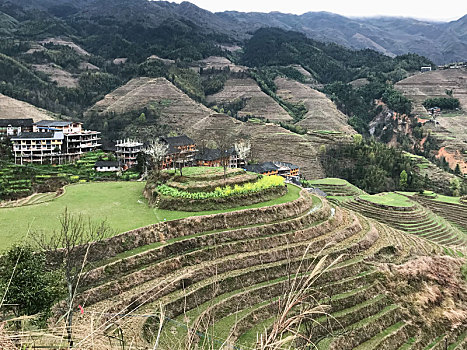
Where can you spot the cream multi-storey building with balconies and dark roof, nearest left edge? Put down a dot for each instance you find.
(38, 147)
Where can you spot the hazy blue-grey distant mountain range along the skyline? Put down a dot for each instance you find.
(442, 42)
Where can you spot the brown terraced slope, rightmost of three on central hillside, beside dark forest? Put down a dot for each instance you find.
(322, 112)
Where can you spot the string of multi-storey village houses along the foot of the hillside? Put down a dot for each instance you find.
(55, 142)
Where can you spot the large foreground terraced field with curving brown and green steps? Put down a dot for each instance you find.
(219, 280)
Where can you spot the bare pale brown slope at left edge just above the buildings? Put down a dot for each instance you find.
(11, 108)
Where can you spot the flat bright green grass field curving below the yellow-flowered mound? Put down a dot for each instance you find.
(120, 204)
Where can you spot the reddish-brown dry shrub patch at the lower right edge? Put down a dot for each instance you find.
(431, 288)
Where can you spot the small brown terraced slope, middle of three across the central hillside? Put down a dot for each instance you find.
(258, 103)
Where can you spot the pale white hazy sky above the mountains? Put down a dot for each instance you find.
(427, 9)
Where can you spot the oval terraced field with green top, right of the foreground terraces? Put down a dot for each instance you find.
(409, 217)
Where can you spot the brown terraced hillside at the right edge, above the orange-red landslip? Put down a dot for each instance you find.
(434, 84)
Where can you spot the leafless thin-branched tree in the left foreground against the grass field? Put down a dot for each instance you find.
(69, 248)
